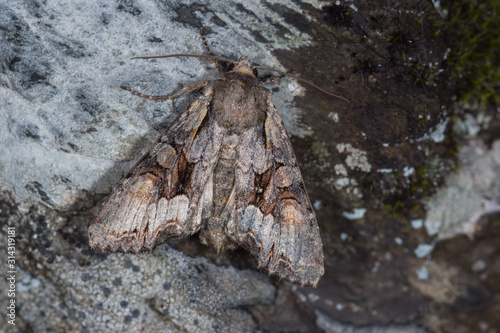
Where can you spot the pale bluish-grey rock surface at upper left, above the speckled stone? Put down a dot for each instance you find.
(67, 128)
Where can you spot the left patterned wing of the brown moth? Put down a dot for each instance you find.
(163, 196)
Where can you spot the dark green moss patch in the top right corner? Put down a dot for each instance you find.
(474, 59)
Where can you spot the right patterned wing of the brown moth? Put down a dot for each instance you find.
(273, 218)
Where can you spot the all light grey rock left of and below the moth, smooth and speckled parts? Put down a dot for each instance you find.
(68, 134)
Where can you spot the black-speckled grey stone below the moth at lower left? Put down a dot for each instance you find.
(63, 286)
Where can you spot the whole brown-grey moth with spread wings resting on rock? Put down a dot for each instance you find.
(226, 169)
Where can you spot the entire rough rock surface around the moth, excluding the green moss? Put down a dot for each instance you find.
(68, 133)
